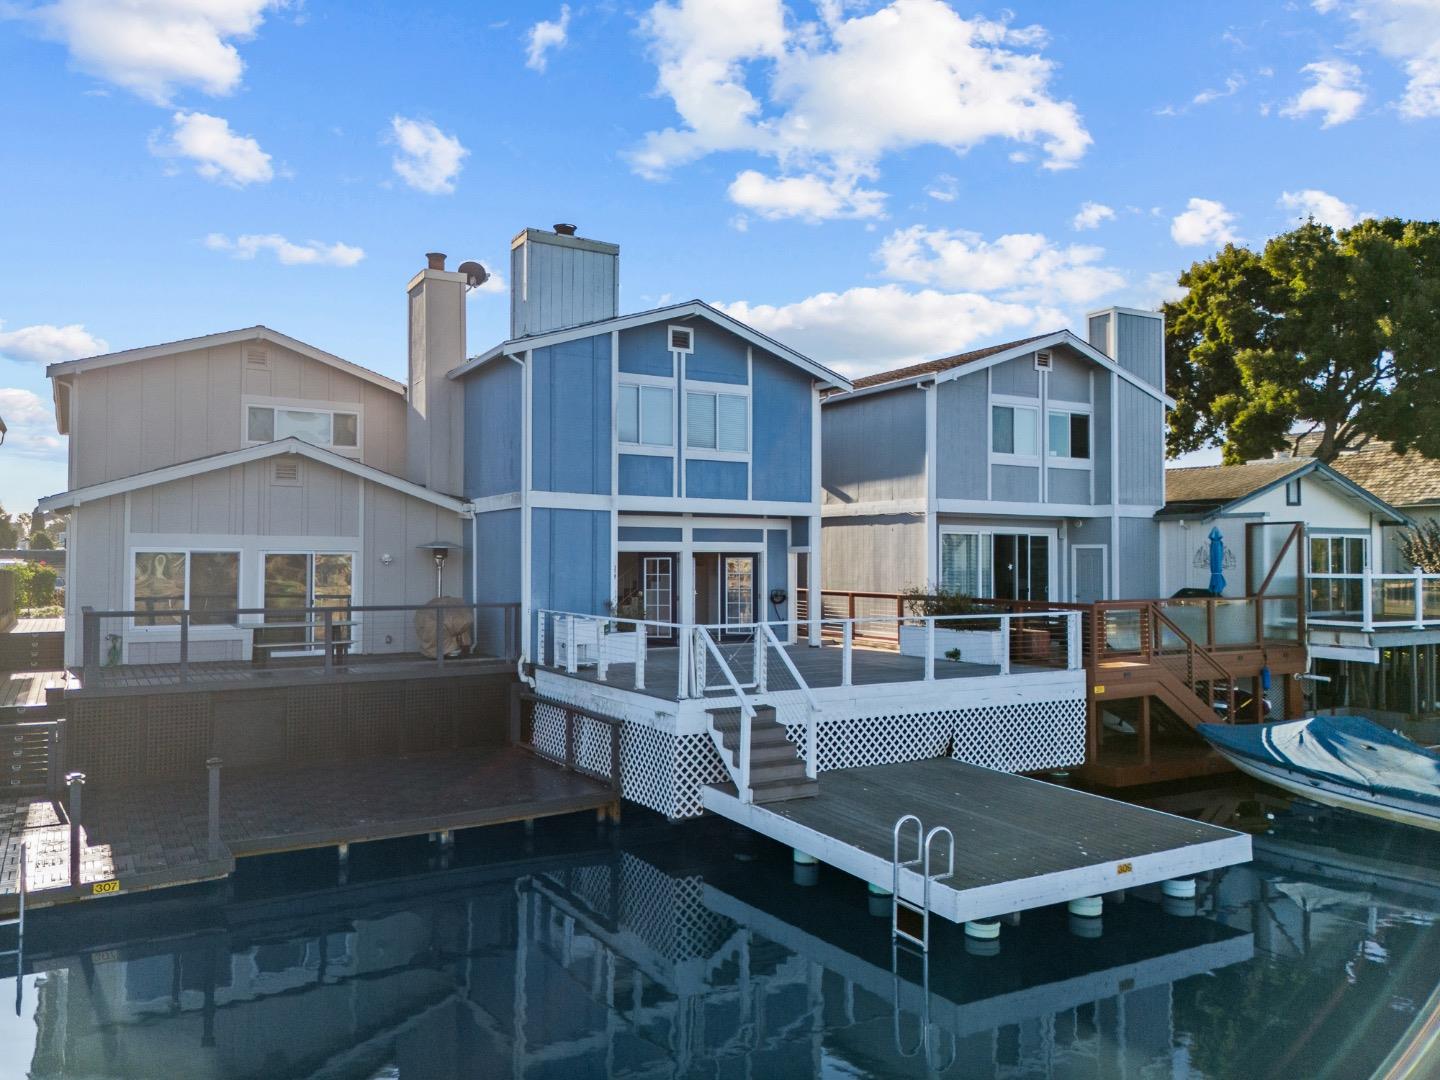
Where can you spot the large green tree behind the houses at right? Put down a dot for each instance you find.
(1330, 333)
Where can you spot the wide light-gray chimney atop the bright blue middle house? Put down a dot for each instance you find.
(561, 280)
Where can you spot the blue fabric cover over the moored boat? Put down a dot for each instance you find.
(1343, 750)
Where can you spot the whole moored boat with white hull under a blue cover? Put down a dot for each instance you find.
(1341, 761)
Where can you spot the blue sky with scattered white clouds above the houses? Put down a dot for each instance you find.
(873, 184)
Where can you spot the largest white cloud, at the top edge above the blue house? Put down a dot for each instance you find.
(829, 100)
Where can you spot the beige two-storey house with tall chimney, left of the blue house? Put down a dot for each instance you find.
(251, 470)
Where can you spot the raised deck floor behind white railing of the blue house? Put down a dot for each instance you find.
(820, 667)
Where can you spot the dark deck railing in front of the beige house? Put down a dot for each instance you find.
(336, 639)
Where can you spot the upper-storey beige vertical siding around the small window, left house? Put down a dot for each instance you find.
(150, 414)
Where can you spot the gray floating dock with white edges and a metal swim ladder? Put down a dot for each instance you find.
(1019, 843)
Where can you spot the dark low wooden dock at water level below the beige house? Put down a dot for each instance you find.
(156, 836)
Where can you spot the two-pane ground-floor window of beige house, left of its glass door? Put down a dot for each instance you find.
(168, 582)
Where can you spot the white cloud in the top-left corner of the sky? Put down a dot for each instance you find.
(155, 47)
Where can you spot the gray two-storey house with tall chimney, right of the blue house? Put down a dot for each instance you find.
(1030, 470)
